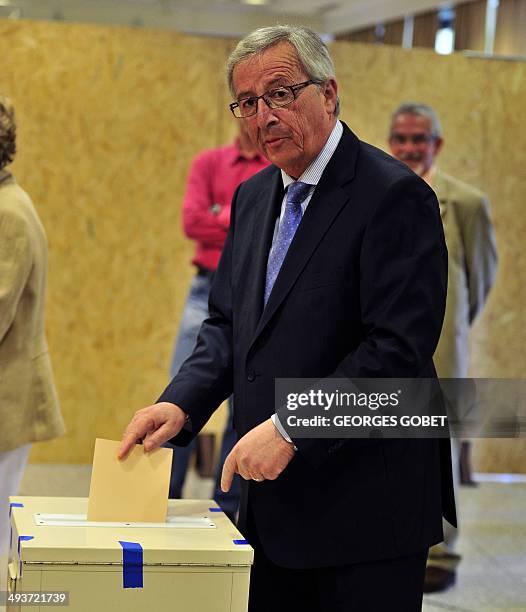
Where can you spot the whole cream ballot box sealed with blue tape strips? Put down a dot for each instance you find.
(196, 561)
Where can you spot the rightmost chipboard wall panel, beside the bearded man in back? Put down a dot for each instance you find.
(499, 338)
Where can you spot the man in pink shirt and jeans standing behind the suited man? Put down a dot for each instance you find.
(213, 178)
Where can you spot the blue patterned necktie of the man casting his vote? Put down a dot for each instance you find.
(296, 194)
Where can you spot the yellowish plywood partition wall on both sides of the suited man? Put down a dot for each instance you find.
(109, 121)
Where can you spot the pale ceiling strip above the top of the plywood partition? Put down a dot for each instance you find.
(222, 17)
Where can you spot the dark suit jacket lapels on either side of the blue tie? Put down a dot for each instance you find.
(327, 200)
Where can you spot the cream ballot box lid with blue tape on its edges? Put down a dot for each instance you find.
(54, 530)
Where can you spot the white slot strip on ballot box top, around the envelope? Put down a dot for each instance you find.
(80, 520)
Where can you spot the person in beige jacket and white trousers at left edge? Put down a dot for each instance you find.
(28, 402)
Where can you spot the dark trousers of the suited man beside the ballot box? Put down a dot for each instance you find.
(391, 585)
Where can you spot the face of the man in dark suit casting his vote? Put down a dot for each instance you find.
(292, 136)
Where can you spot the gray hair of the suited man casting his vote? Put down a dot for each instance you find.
(312, 52)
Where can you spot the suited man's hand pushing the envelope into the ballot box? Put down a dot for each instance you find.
(155, 425)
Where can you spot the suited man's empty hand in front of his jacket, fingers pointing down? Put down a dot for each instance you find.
(261, 454)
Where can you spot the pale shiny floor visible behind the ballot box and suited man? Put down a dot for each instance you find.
(492, 542)
